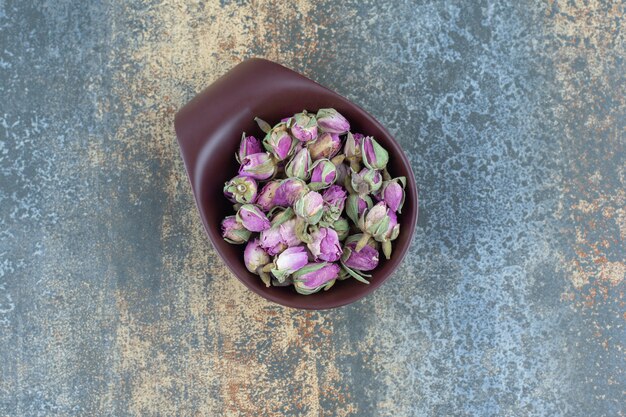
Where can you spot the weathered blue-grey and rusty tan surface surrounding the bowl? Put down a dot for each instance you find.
(513, 115)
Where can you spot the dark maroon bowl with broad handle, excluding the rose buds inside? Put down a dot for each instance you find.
(209, 130)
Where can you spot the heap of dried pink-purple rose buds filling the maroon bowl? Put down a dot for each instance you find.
(314, 202)
